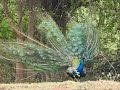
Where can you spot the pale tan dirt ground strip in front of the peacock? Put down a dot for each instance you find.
(66, 85)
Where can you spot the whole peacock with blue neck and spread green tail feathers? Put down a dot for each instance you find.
(69, 53)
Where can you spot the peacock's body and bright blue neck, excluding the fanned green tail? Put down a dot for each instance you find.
(77, 69)
